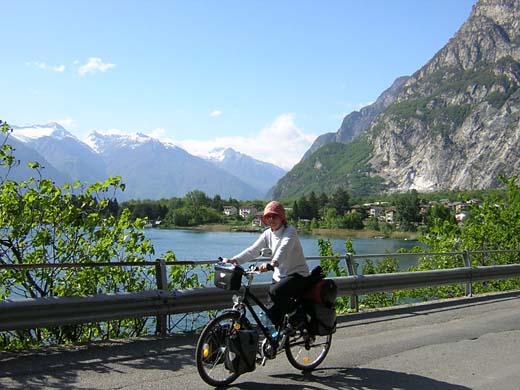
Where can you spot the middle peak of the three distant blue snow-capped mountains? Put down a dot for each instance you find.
(154, 170)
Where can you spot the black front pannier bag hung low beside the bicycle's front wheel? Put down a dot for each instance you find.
(241, 350)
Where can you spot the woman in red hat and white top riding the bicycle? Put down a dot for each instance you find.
(288, 261)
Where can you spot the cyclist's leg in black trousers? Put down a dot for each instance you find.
(282, 295)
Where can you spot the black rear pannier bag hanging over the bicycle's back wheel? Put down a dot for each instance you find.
(321, 307)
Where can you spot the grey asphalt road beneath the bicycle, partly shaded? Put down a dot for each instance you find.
(471, 343)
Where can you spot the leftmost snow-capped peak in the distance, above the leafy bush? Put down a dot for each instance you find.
(63, 151)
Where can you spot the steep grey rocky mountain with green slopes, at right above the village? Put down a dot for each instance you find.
(454, 124)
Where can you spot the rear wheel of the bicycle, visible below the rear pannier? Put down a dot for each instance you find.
(306, 351)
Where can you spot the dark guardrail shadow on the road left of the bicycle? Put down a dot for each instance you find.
(60, 367)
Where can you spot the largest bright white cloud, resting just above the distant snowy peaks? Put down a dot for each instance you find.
(281, 143)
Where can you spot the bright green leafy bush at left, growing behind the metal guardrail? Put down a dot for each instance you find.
(41, 223)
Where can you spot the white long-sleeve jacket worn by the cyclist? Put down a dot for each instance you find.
(286, 248)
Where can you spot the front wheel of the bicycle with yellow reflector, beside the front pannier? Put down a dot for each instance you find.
(211, 350)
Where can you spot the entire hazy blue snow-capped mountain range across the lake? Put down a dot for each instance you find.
(150, 169)
